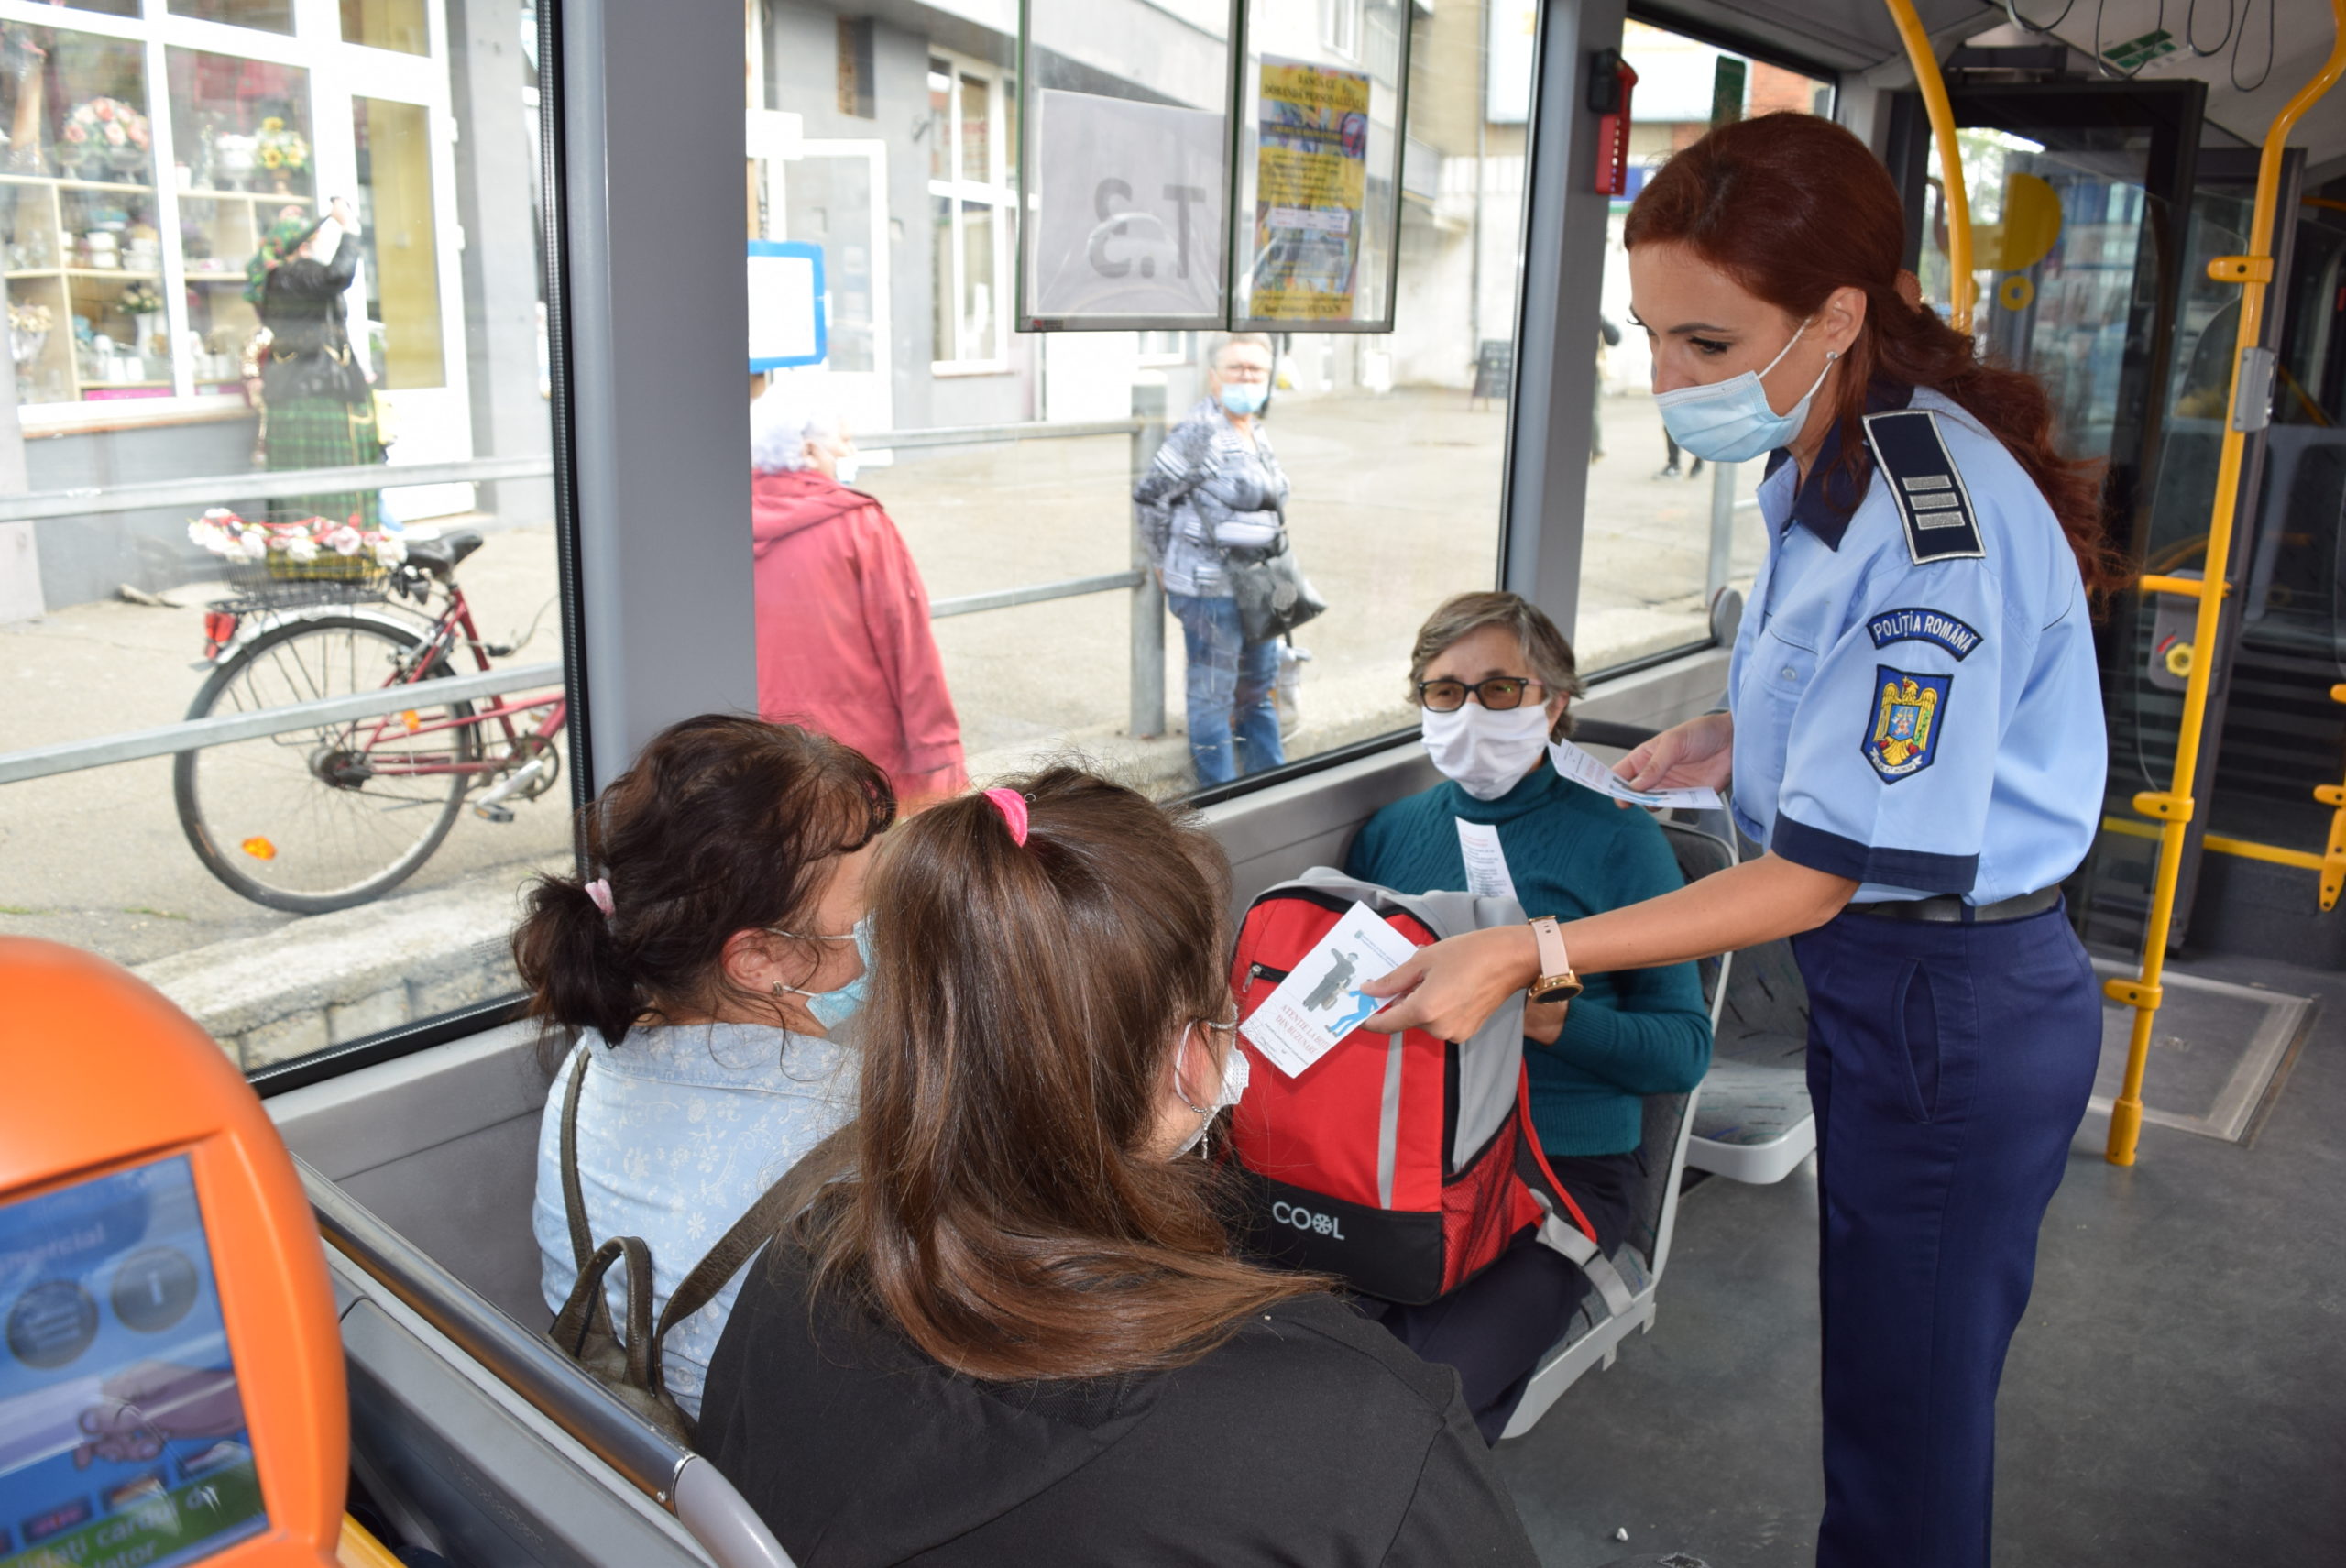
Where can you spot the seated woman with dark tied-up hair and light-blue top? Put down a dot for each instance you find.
(698, 980)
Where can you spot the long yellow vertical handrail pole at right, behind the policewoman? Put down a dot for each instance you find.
(2174, 806)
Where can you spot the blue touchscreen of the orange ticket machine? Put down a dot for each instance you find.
(121, 1428)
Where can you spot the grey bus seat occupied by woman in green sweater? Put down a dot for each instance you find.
(1596, 1334)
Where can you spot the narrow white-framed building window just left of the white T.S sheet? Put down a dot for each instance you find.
(970, 163)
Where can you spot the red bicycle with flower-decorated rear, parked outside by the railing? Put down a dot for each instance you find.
(341, 813)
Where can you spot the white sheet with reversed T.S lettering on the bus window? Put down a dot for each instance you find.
(1130, 215)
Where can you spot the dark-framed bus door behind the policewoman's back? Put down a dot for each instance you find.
(2094, 217)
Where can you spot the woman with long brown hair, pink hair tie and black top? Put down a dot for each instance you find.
(1012, 1327)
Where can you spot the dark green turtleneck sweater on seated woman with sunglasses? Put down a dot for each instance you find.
(1571, 853)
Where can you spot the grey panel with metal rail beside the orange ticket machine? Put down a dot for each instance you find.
(482, 1442)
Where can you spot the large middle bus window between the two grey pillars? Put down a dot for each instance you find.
(1010, 485)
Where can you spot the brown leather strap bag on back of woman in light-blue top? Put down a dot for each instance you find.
(630, 1367)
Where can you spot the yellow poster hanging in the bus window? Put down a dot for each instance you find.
(1310, 194)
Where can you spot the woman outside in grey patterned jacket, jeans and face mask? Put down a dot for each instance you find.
(1219, 489)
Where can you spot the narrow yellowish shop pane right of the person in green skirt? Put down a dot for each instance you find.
(402, 250)
